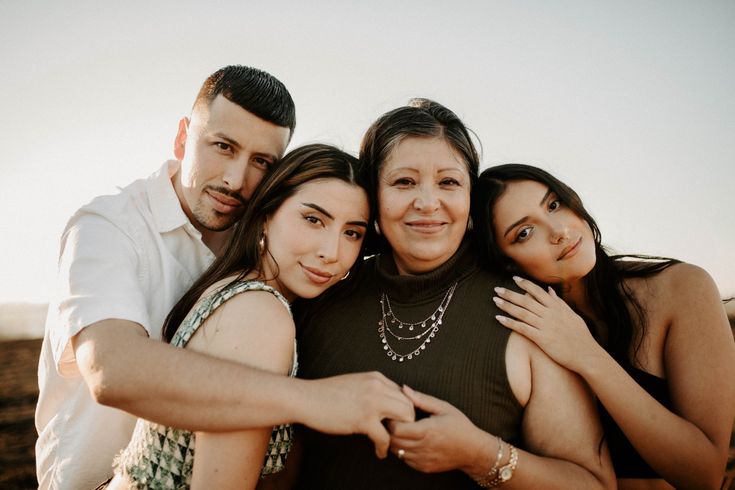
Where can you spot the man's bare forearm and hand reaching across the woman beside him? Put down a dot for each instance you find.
(125, 369)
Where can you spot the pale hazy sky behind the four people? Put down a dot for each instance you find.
(630, 102)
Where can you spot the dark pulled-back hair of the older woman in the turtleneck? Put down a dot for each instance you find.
(419, 118)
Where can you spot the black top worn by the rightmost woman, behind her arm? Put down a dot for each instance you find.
(626, 460)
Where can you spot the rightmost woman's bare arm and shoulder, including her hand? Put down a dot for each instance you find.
(688, 336)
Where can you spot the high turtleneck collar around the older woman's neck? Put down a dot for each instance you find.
(429, 285)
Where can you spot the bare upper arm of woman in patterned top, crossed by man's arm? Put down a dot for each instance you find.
(253, 328)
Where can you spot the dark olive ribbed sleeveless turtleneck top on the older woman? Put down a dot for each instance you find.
(463, 363)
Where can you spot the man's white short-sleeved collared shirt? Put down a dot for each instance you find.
(128, 256)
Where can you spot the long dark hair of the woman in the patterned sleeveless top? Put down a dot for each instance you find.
(242, 254)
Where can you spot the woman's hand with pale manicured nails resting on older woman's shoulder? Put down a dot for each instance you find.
(549, 322)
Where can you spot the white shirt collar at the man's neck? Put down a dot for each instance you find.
(164, 202)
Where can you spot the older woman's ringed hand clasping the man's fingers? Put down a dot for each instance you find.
(445, 440)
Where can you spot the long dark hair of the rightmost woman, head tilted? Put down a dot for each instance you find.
(611, 300)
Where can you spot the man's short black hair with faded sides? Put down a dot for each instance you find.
(254, 90)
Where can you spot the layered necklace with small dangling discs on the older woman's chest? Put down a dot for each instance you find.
(390, 327)
